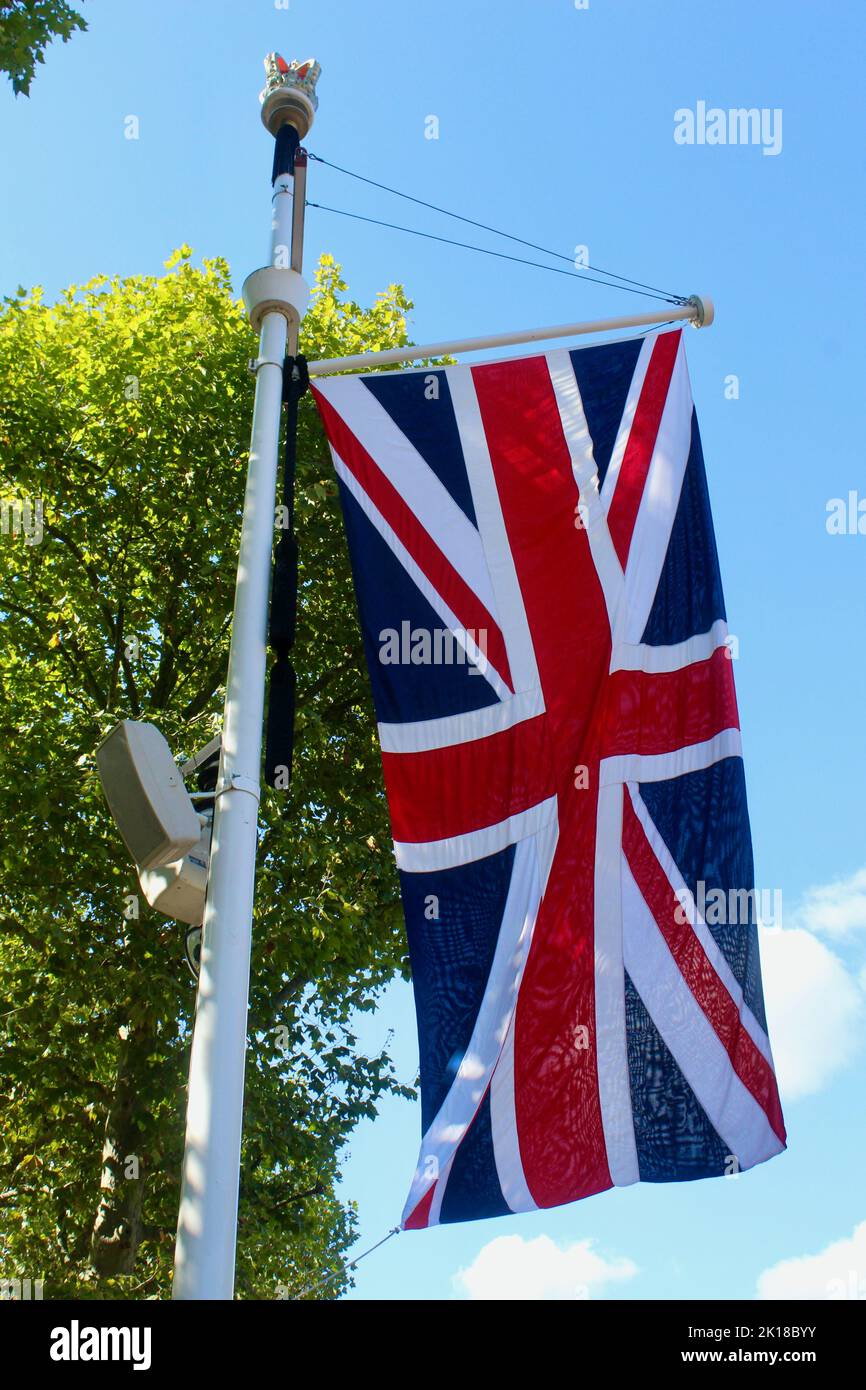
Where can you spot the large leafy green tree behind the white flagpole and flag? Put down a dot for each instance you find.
(124, 429)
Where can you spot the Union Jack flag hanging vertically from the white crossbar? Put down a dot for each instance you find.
(565, 779)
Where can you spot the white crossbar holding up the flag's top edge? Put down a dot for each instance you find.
(698, 309)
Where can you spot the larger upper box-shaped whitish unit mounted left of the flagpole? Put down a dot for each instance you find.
(147, 796)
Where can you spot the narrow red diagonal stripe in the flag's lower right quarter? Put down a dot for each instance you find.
(721, 1010)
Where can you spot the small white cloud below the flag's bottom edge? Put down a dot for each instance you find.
(528, 1270)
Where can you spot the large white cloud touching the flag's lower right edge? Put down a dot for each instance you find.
(815, 1010)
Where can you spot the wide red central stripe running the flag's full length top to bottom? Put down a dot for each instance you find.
(557, 1102)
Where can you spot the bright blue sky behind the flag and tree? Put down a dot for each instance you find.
(558, 124)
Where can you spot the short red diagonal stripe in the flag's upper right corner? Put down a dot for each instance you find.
(643, 436)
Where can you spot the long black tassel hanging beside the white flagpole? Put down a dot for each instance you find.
(284, 596)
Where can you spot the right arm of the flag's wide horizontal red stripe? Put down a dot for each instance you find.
(658, 714)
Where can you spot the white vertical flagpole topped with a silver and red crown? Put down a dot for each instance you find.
(276, 298)
